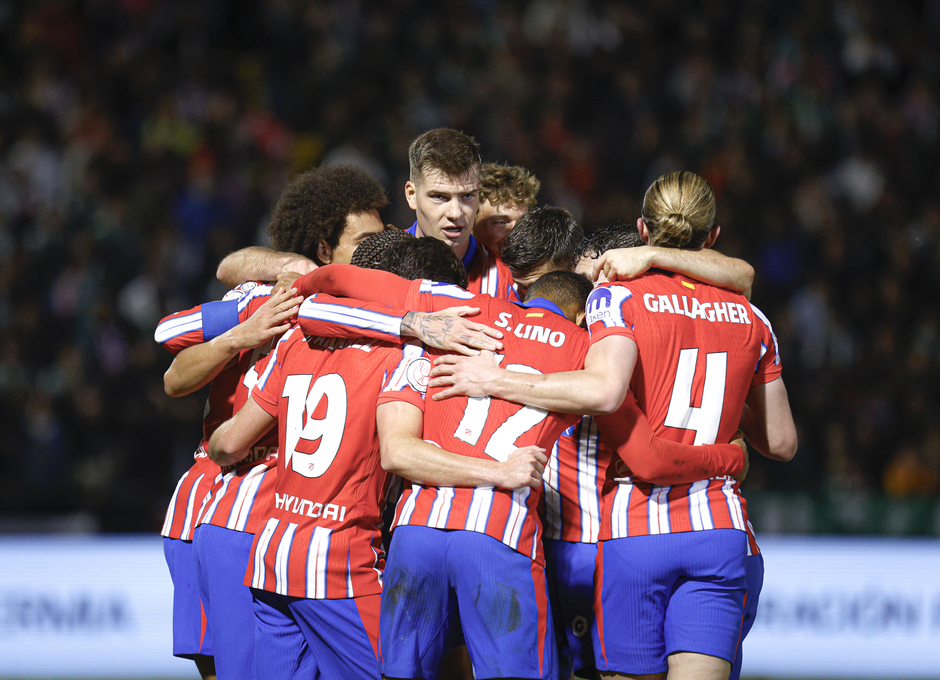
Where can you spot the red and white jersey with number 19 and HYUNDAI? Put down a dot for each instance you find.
(322, 537)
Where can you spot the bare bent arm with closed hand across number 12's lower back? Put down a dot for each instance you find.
(406, 454)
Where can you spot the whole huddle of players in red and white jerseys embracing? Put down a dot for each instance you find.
(487, 446)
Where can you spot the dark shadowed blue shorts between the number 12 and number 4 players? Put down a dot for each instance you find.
(569, 568)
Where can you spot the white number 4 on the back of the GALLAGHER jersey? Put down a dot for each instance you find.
(705, 419)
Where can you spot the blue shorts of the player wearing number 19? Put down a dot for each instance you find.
(336, 639)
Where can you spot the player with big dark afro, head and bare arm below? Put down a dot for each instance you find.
(321, 216)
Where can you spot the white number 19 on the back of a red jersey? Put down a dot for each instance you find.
(302, 398)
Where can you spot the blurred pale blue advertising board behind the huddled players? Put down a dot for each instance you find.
(831, 607)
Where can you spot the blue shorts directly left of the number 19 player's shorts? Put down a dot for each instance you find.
(221, 560)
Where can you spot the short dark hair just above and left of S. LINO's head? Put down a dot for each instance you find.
(544, 235)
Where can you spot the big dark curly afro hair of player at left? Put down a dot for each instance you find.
(315, 205)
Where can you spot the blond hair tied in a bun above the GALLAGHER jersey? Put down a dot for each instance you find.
(679, 210)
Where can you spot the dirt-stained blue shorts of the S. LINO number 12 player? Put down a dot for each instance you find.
(435, 579)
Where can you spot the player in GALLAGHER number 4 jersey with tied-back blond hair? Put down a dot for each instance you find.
(671, 566)
